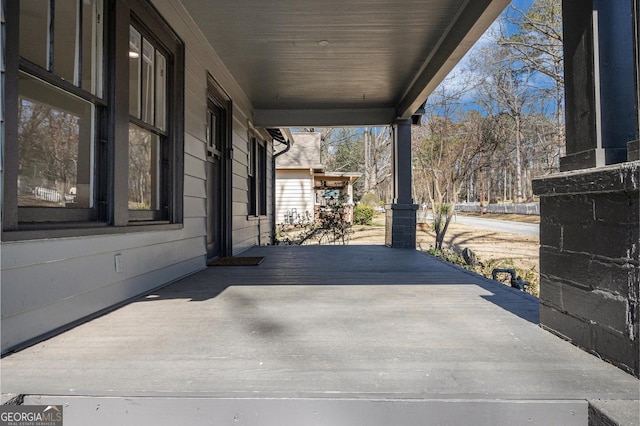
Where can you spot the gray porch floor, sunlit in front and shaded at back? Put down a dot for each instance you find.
(329, 324)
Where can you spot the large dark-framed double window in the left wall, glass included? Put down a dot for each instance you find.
(78, 153)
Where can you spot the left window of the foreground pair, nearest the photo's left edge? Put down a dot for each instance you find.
(59, 95)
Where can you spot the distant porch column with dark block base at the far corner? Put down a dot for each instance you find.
(401, 214)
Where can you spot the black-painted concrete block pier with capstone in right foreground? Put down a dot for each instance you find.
(590, 260)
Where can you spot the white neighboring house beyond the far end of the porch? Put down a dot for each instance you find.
(303, 186)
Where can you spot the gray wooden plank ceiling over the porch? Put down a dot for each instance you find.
(336, 62)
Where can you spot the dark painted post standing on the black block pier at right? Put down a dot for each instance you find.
(601, 115)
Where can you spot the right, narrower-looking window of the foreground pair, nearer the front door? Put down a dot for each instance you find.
(153, 66)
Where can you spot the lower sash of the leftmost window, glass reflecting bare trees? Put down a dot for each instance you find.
(55, 146)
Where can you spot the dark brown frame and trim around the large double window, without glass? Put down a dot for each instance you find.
(110, 169)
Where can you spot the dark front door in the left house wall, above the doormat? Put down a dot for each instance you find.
(216, 185)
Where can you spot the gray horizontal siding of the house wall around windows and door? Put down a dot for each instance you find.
(47, 284)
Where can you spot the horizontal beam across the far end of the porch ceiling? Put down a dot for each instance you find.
(324, 117)
